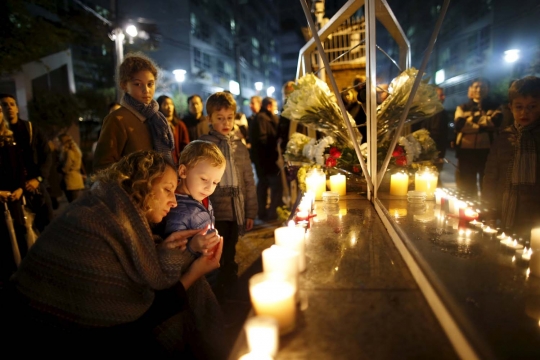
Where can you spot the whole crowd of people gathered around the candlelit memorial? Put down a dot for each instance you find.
(137, 262)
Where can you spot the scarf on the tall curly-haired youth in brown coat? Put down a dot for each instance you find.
(160, 130)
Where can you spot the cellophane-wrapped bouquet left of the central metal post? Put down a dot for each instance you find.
(314, 105)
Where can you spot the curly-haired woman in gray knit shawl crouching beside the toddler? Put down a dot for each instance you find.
(98, 281)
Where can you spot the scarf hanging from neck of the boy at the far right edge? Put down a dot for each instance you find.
(522, 170)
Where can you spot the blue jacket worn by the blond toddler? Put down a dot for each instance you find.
(187, 215)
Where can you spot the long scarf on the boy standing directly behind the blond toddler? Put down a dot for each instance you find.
(229, 185)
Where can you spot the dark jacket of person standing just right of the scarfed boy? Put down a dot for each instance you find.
(264, 136)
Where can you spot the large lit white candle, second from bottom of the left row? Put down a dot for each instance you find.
(274, 296)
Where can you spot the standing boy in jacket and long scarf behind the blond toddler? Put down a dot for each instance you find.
(235, 199)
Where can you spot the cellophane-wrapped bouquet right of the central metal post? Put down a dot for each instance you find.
(425, 103)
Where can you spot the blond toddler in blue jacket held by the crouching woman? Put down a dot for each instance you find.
(200, 168)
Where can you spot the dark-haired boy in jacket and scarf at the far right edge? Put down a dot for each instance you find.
(512, 174)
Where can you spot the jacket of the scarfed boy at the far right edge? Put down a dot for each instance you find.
(496, 180)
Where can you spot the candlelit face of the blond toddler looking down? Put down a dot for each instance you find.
(201, 180)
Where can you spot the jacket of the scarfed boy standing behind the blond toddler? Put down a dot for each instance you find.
(223, 205)
